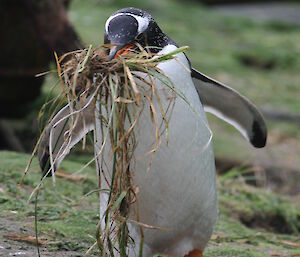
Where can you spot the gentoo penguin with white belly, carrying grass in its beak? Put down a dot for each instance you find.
(179, 192)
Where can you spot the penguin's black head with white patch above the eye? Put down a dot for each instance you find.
(131, 25)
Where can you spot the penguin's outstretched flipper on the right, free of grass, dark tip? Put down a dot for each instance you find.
(228, 105)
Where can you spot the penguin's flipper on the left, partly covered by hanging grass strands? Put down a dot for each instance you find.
(64, 131)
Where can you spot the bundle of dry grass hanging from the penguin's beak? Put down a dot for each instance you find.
(118, 90)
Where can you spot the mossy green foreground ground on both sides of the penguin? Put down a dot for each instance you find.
(252, 222)
